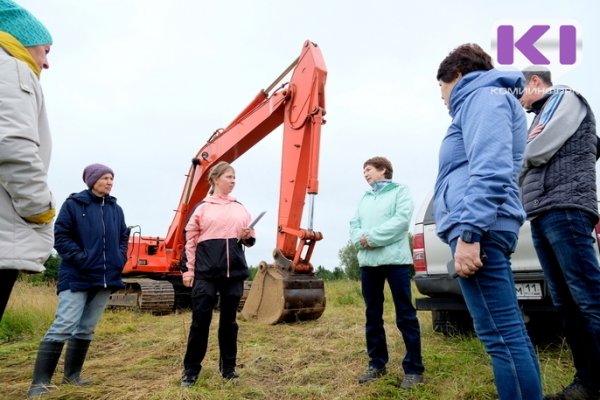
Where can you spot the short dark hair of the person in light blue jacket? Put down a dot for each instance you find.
(465, 58)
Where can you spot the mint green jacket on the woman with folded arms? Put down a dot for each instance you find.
(383, 218)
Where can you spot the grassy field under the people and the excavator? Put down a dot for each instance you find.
(139, 356)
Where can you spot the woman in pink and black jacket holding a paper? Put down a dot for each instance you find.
(216, 235)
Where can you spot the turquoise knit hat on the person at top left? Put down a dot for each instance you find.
(19, 22)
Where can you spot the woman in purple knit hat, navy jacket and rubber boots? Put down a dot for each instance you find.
(91, 239)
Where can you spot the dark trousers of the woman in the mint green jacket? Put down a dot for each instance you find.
(372, 283)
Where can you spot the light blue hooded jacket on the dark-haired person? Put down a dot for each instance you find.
(481, 157)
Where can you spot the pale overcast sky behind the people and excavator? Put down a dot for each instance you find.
(141, 85)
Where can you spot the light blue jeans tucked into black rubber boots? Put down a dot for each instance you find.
(77, 315)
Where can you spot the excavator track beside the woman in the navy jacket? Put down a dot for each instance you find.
(146, 295)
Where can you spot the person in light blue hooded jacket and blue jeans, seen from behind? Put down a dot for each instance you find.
(477, 208)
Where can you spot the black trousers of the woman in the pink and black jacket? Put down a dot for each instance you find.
(204, 297)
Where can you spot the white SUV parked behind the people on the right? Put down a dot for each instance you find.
(433, 277)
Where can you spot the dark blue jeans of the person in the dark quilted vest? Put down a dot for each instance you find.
(565, 246)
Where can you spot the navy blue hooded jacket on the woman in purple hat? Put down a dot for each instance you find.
(91, 239)
